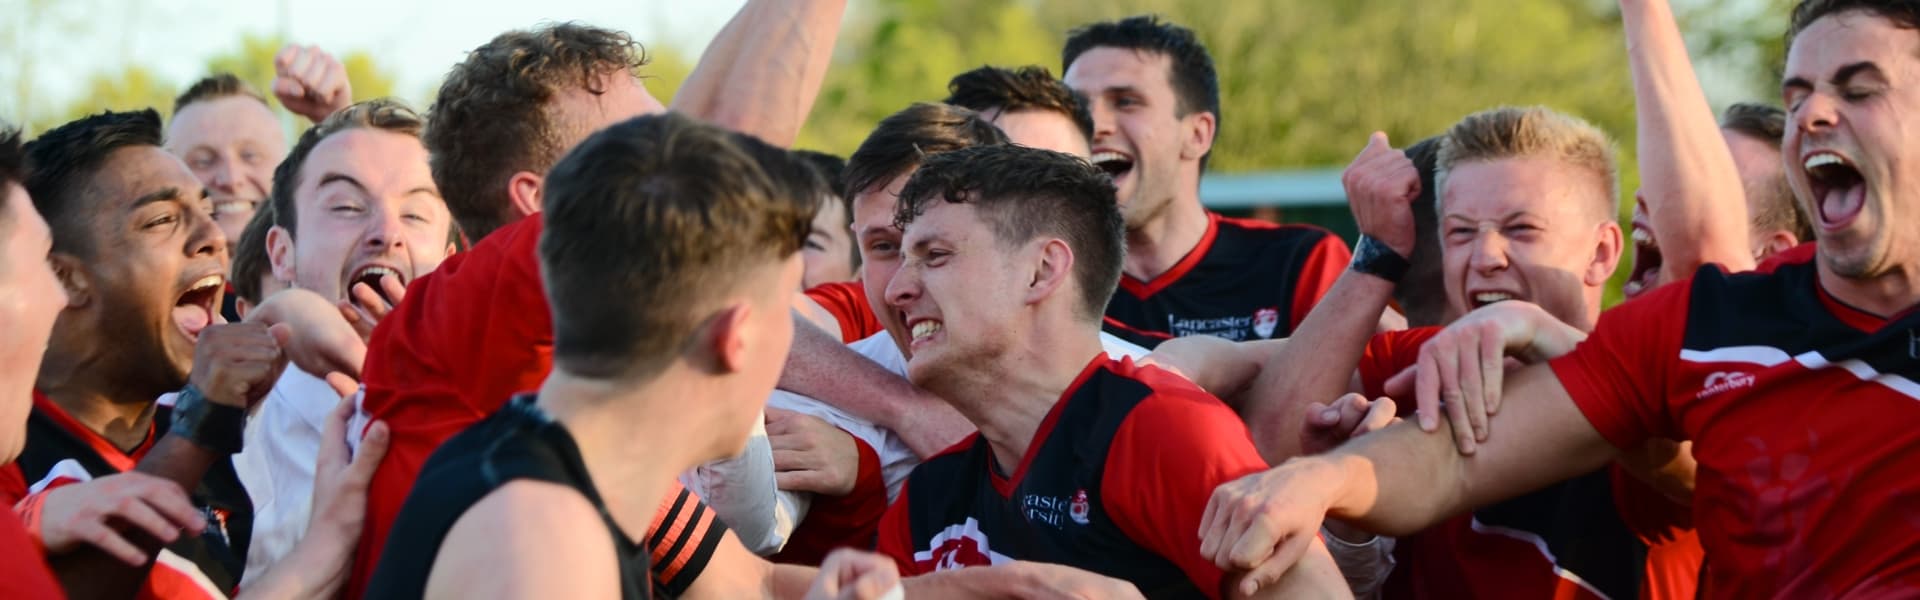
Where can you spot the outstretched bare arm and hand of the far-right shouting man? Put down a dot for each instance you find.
(1401, 480)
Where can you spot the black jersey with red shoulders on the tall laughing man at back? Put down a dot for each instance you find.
(1245, 282)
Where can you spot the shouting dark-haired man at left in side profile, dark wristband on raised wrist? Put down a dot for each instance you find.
(143, 262)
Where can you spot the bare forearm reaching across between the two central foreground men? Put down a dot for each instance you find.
(823, 368)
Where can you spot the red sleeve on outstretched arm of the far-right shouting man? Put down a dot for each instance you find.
(1620, 374)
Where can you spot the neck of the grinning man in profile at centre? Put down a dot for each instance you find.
(1013, 395)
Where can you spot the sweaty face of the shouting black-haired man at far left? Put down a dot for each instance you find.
(158, 264)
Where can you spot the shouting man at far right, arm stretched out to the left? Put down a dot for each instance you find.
(1733, 364)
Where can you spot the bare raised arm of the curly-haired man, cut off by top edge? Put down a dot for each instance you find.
(763, 72)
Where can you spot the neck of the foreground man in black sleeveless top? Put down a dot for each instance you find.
(606, 418)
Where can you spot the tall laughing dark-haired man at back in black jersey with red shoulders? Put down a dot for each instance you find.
(1155, 105)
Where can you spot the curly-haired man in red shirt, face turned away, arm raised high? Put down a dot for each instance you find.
(443, 361)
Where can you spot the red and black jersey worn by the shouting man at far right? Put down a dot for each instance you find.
(1802, 412)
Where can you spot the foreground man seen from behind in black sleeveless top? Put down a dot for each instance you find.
(554, 493)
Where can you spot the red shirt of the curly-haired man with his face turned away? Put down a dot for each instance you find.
(468, 339)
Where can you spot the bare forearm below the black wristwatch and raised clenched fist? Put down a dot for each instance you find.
(1318, 370)
